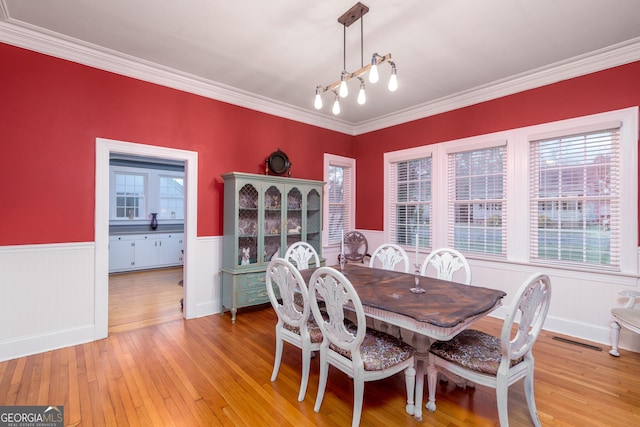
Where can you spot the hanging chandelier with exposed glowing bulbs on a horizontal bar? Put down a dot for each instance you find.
(339, 87)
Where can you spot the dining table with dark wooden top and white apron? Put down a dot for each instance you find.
(423, 308)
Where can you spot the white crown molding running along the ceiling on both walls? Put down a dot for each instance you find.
(23, 35)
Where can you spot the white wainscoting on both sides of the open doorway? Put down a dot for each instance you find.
(48, 294)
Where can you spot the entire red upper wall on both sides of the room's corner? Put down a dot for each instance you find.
(52, 110)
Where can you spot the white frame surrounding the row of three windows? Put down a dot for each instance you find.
(517, 188)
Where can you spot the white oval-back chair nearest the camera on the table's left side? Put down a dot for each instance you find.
(363, 354)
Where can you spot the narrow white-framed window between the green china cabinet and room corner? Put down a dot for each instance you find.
(339, 197)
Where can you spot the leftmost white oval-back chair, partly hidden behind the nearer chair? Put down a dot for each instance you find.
(296, 327)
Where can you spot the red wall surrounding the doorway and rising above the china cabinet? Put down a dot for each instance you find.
(52, 111)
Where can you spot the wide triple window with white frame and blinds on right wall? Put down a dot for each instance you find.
(560, 195)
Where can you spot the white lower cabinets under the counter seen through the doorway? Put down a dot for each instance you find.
(145, 251)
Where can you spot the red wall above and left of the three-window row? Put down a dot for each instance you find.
(607, 90)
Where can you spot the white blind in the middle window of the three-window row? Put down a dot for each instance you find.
(477, 201)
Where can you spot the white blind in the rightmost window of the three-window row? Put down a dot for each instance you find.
(575, 199)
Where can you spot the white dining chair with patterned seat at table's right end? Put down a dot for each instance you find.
(498, 362)
